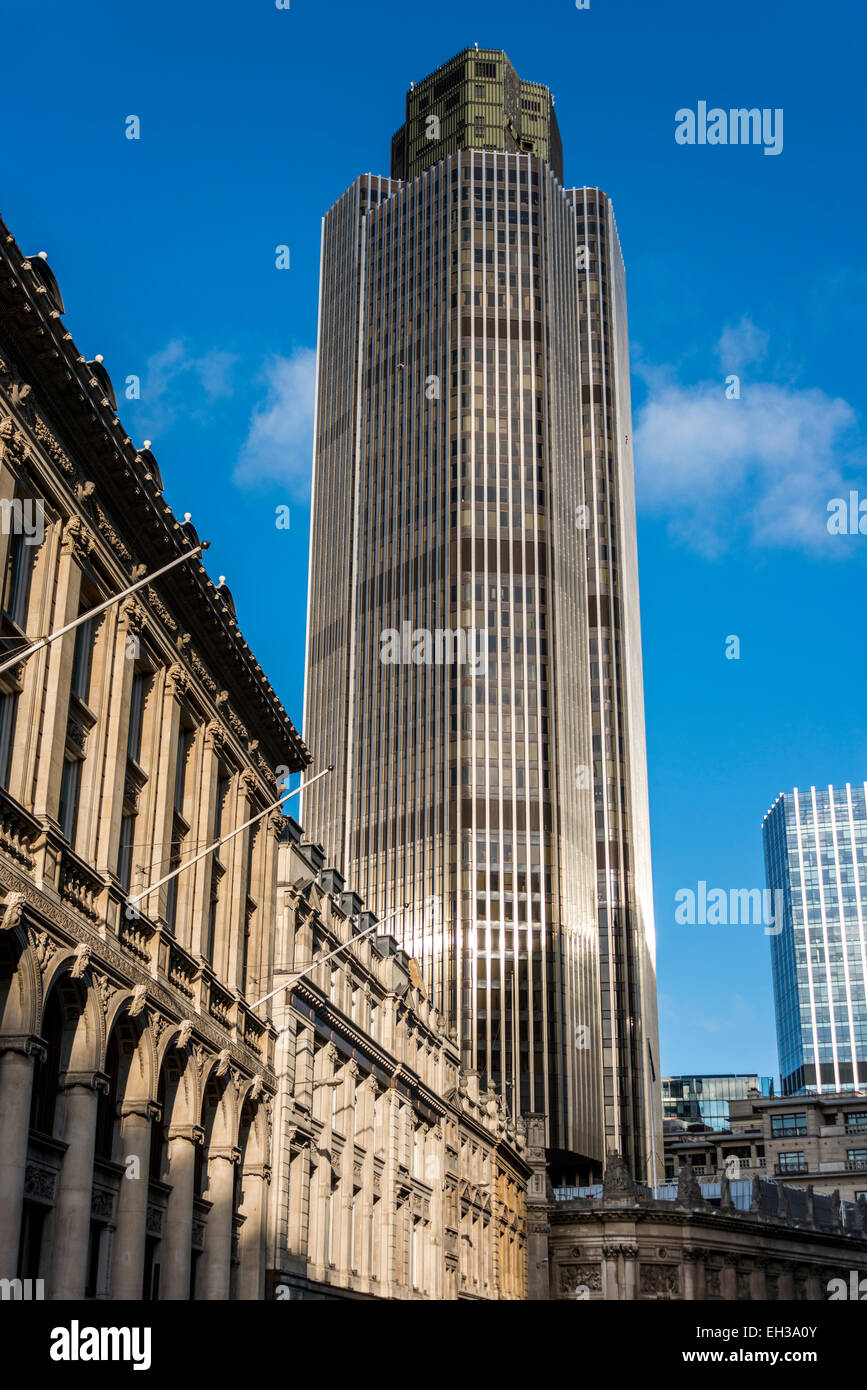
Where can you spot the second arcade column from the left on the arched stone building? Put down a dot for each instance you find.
(76, 1186)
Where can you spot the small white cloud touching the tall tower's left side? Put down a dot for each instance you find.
(280, 441)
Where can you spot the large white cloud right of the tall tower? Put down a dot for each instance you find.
(761, 468)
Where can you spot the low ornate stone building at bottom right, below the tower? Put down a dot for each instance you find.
(744, 1241)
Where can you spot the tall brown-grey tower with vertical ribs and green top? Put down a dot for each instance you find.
(474, 647)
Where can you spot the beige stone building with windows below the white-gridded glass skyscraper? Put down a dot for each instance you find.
(805, 1140)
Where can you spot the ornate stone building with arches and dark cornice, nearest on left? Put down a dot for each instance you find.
(137, 1085)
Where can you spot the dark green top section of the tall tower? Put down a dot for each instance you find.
(476, 101)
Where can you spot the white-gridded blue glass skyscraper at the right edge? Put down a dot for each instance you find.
(816, 858)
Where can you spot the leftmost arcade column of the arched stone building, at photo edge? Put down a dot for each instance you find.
(16, 1090)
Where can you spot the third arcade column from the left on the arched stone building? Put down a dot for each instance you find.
(129, 1252)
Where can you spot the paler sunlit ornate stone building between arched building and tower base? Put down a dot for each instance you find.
(394, 1177)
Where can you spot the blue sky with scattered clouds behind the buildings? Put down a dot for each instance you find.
(255, 120)
